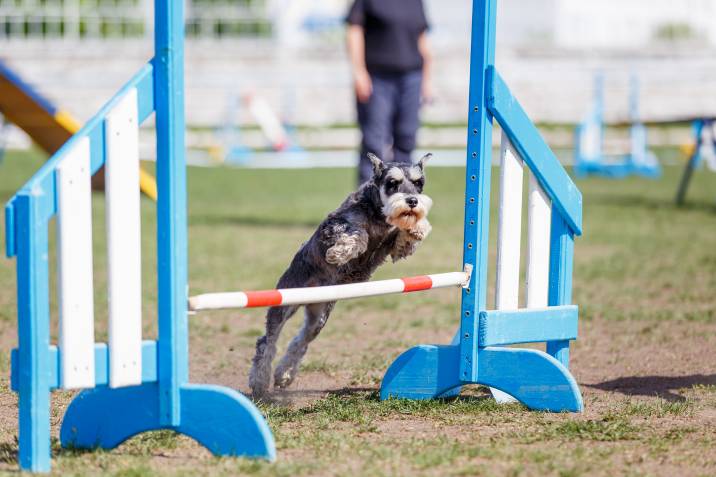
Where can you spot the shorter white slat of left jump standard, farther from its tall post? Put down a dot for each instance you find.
(74, 268)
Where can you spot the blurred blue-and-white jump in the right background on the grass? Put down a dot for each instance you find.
(589, 157)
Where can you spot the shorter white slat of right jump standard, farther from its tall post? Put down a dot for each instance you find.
(538, 231)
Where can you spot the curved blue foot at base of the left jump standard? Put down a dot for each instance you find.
(221, 419)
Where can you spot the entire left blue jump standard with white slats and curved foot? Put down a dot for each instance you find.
(129, 385)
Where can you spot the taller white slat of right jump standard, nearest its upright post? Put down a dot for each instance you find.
(509, 228)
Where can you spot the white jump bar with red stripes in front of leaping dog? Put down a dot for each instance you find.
(303, 296)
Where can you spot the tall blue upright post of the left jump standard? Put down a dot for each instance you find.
(171, 207)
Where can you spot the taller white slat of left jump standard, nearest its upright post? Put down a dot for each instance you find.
(124, 243)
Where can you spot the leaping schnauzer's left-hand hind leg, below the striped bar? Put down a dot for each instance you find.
(260, 375)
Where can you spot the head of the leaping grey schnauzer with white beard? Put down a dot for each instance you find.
(401, 191)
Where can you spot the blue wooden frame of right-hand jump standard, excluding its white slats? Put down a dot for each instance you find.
(538, 379)
